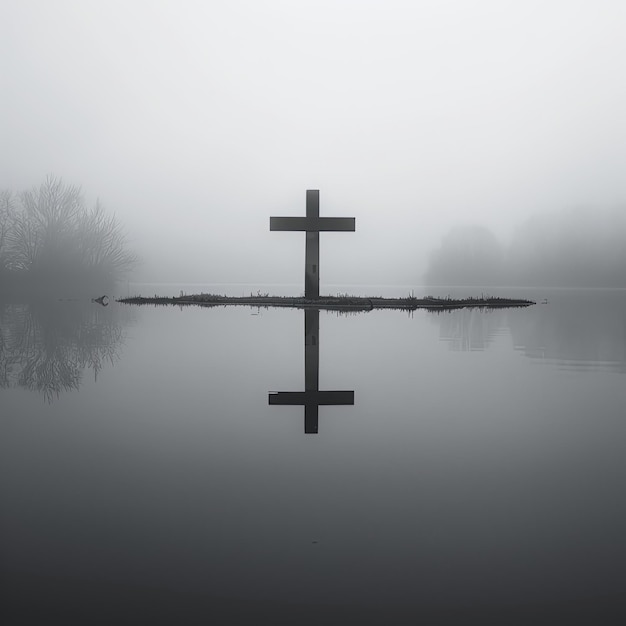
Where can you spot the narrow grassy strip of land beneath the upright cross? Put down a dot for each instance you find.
(339, 302)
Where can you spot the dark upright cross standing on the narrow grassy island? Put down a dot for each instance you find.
(313, 224)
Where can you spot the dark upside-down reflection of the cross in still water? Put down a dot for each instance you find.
(312, 398)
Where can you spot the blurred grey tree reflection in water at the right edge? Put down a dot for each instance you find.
(578, 327)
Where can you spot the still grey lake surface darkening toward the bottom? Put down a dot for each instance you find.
(478, 475)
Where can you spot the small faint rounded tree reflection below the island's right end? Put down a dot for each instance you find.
(469, 329)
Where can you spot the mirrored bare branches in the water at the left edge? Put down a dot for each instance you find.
(46, 347)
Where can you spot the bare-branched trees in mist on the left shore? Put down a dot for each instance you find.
(49, 240)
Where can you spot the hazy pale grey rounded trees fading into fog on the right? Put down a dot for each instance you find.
(571, 248)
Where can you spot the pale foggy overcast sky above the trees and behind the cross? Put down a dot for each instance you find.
(194, 121)
